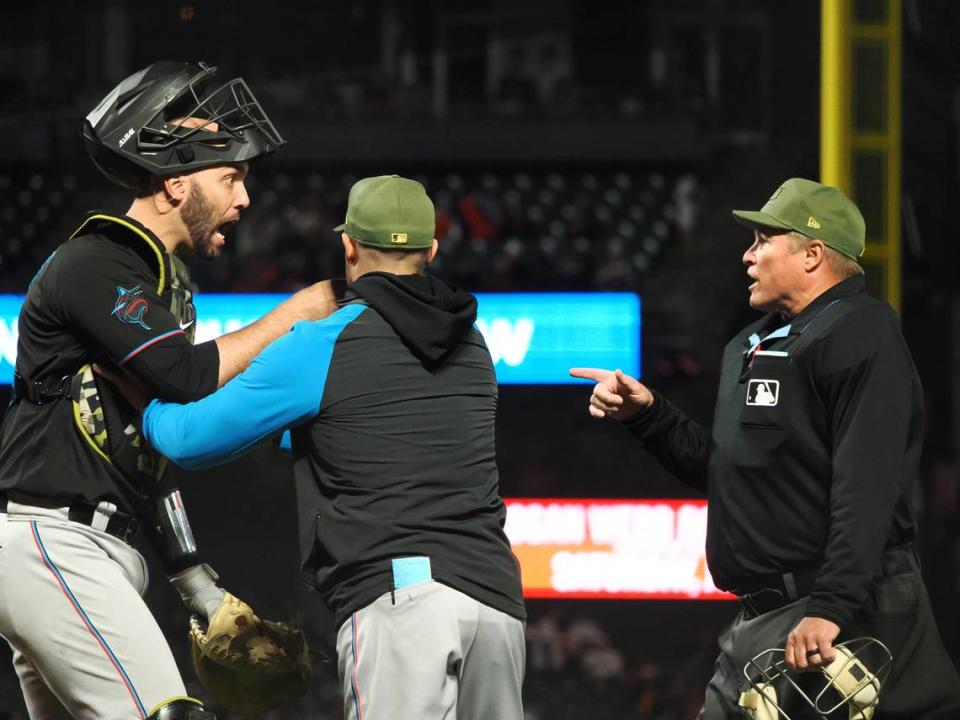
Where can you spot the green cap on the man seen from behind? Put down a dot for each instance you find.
(389, 211)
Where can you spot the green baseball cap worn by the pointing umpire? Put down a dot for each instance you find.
(811, 209)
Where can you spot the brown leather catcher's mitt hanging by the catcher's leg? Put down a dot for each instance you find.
(249, 665)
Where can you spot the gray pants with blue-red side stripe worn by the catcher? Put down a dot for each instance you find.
(84, 643)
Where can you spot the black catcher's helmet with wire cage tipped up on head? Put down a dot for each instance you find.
(138, 129)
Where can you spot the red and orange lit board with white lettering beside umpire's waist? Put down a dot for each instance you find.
(611, 549)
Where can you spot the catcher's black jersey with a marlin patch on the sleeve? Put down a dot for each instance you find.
(107, 295)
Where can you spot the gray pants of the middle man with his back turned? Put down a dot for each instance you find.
(429, 652)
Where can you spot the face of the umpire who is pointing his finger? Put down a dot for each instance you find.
(776, 266)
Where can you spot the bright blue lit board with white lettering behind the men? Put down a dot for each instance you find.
(534, 338)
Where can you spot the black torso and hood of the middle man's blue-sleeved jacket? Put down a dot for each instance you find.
(400, 460)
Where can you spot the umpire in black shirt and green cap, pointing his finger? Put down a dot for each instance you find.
(813, 455)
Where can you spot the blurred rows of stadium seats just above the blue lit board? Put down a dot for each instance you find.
(498, 230)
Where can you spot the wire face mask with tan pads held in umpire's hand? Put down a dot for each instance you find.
(853, 680)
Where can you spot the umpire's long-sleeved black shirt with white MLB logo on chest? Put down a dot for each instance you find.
(815, 445)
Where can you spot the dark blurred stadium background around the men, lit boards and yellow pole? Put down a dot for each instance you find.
(568, 144)
